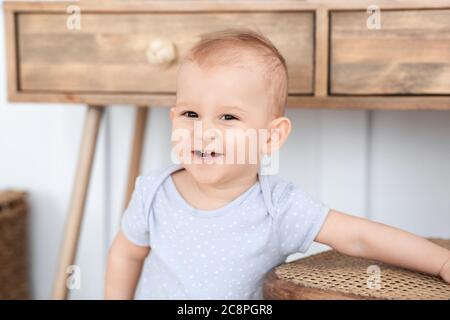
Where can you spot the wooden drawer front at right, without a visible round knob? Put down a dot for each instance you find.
(409, 54)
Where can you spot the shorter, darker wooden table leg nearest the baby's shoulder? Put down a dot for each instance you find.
(136, 151)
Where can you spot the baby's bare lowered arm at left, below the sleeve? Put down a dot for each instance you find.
(125, 262)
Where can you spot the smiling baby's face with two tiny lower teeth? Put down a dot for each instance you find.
(217, 107)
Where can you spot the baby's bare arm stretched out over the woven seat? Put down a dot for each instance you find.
(364, 238)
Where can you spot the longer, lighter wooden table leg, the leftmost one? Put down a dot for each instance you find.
(78, 201)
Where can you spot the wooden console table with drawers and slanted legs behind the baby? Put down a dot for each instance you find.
(334, 59)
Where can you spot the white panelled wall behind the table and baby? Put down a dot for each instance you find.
(390, 166)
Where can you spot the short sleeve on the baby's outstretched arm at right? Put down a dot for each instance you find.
(299, 219)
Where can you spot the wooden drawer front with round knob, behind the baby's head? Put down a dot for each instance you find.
(109, 53)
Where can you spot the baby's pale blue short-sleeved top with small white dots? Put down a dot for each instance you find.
(217, 254)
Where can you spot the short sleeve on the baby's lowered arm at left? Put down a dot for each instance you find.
(134, 220)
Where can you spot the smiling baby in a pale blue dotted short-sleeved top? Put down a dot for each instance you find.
(211, 225)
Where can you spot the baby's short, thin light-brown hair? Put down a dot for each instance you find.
(228, 47)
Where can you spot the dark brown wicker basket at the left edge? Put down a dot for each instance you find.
(13, 245)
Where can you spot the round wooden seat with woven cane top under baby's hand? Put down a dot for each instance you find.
(331, 275)
